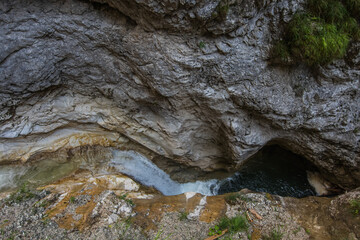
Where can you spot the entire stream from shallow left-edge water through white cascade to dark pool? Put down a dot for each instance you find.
(271, 171)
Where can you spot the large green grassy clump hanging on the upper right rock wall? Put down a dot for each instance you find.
(320, 34)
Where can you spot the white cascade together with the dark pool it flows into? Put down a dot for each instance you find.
(273, 170)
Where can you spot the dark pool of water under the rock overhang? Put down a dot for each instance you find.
(273, 170)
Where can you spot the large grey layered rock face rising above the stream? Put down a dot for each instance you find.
(189, 80)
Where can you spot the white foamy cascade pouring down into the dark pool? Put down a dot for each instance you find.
(143, 170)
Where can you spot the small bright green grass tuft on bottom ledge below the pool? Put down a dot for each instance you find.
(235, 224)
